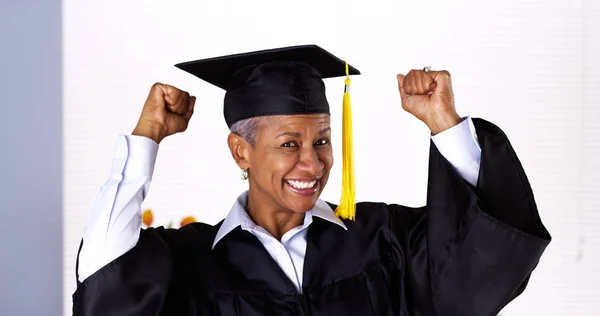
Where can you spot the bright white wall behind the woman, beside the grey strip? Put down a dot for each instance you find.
(527, 66)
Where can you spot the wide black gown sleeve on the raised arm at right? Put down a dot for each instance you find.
(475, 247)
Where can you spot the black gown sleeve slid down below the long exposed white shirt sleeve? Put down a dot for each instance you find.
(136, 283)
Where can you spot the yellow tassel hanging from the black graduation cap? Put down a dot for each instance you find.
(347, 207)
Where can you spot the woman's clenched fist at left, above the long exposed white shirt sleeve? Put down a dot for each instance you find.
(167, 111)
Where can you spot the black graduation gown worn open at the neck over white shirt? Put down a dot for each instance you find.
(470, 251)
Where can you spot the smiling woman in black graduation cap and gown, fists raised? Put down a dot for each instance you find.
(281, 250)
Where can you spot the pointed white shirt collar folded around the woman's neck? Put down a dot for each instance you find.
(239, 217)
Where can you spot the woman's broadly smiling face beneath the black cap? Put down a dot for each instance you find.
(290, 161)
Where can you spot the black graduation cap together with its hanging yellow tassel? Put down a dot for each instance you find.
(283, 81)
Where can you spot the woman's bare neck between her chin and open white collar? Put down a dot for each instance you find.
(275, 220)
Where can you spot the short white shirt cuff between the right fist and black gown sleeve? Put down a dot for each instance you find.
(460, 147)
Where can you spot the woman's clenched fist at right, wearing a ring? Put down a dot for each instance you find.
(429, 97)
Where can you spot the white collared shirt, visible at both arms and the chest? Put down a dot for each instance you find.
(114, 221)
